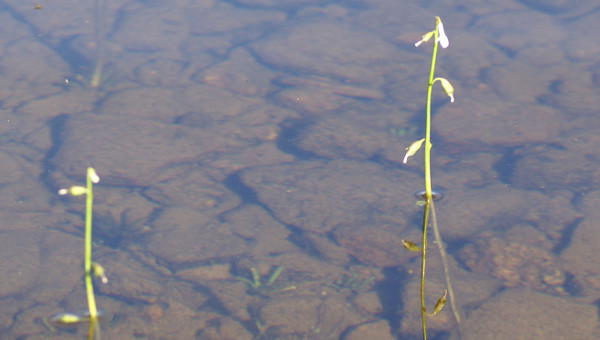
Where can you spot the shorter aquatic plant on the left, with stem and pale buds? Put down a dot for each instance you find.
(89, 268)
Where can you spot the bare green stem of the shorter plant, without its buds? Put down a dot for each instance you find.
(87, 253)
